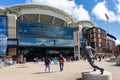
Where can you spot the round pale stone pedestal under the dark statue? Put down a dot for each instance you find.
(95, 75)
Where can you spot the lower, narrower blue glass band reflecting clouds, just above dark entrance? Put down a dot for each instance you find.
(44, 41)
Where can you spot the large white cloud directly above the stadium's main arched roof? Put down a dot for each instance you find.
(69, 6)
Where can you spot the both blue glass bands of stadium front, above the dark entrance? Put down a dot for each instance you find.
(41, 34)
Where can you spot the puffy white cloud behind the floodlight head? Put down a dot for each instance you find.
(100, 10)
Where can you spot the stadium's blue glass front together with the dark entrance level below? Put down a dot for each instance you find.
(40, 39)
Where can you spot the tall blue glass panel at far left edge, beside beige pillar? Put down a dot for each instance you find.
(3, 35)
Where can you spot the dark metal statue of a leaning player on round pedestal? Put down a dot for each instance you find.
(87, 51)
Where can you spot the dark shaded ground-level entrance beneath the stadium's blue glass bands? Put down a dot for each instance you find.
(31, 52)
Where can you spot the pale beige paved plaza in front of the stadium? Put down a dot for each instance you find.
(36, 71)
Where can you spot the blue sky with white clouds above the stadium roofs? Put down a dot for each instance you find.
(93, 10)
